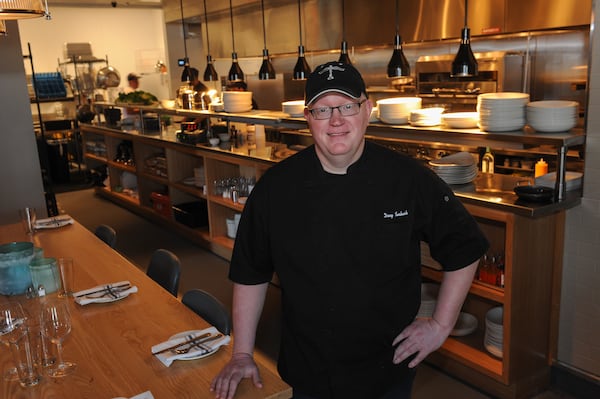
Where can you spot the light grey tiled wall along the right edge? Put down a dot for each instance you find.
(579, 346)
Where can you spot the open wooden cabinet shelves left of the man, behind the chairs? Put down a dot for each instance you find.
(171, 183)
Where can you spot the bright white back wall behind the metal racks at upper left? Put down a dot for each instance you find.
(133, 39)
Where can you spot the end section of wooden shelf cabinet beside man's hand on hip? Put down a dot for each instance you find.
(532, 249)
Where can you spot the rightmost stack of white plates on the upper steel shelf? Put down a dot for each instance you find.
(552, 116)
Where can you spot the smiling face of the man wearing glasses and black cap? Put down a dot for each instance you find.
(339, 140)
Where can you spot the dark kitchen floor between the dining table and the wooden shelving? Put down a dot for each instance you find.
(137, 238)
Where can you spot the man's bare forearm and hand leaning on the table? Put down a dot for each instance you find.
(248, 301)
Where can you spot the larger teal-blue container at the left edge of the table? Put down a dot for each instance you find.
(14, 267)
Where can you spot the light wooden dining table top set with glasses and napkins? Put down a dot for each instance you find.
(111, 342)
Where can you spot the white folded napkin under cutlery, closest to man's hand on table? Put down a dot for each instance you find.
(199, 350)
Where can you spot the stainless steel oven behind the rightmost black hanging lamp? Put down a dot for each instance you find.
(498, 71)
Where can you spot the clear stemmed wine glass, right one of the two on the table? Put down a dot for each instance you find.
(55, 323)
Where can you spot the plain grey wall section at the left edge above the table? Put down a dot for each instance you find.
(20, 172)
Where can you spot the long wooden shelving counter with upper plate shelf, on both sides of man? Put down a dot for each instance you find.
(531, 245)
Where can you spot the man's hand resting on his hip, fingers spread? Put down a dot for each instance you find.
(421, 337)
